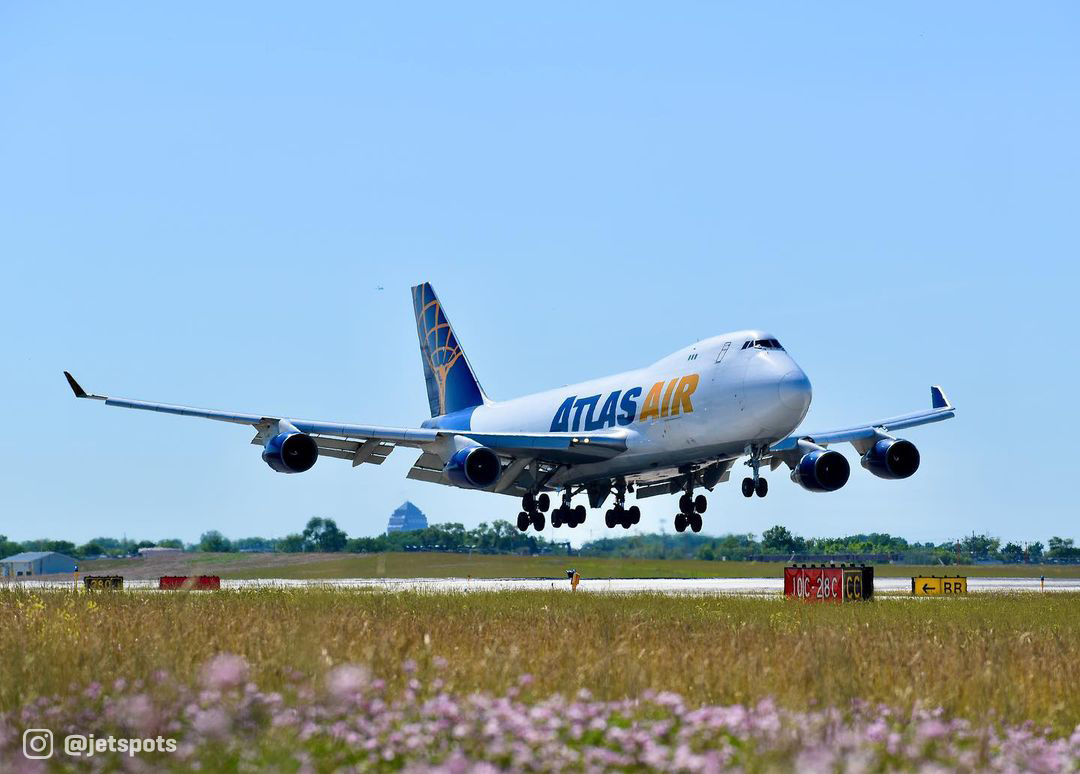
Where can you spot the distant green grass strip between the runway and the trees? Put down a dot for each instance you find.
(435, 565)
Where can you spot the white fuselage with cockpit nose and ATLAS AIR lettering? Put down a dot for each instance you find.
(709, 401)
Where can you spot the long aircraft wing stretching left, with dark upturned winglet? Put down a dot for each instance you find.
(373, 444)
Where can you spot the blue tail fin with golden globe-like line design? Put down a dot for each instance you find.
(452, 385)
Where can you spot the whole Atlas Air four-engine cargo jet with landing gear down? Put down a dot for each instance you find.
(676, 427)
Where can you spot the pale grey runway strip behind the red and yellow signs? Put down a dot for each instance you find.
(747, 587)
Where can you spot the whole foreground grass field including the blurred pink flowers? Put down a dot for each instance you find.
(548, 681)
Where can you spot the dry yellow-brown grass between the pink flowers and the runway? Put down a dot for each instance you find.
(1014, 658)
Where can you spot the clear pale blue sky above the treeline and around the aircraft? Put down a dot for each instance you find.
(199, 201)
